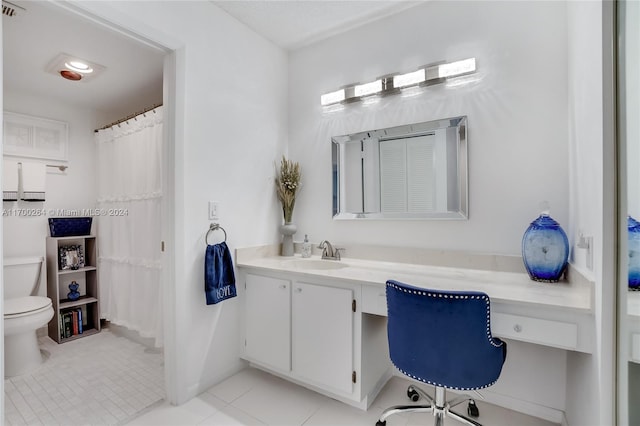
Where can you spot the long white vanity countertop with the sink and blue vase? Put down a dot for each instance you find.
(505, 287)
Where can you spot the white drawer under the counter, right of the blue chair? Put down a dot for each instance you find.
(535, 330)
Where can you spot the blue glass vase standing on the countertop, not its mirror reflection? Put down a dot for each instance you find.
(545, 249)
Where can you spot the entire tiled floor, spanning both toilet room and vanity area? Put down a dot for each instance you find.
(109, 380)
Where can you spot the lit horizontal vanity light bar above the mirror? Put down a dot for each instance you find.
(432, 74)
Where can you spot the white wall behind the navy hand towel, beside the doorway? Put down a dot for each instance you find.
(232, 127)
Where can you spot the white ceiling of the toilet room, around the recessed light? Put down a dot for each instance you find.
(131, 81)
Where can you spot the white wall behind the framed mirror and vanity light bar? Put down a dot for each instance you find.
(516, 104)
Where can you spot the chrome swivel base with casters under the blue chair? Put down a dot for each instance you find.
(439, 407)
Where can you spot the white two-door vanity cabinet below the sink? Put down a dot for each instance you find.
(310, 331)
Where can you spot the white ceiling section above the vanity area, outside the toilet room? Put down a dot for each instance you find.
(295, 23)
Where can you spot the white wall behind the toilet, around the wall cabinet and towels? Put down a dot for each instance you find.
(73, 189)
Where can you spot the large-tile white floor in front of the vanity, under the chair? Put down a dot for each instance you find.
(253, 397)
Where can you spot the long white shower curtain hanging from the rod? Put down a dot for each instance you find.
(129, 223)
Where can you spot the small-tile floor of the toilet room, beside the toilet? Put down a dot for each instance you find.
(101, 379)
